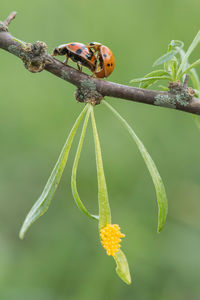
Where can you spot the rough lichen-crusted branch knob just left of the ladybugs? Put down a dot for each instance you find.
(34, 56)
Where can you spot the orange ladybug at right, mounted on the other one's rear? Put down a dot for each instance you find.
(106, 59)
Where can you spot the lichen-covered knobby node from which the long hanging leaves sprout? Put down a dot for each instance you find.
(87, 93)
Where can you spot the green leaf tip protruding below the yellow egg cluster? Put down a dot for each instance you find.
(122, 268)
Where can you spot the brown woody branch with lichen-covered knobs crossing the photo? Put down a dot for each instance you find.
(36, 59)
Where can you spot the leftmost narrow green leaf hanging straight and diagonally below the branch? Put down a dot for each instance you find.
(42, 204)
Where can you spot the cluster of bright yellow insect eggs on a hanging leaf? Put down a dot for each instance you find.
(110, 238)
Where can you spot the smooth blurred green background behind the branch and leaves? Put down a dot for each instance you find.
(61, 257)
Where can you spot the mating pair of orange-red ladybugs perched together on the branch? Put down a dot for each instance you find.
(95, 56)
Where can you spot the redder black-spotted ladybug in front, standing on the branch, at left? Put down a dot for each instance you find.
(78, 53)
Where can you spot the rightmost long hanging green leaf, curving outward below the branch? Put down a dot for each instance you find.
(159, 186)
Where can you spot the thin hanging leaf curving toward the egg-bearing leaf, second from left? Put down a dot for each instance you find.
(75, 166)
